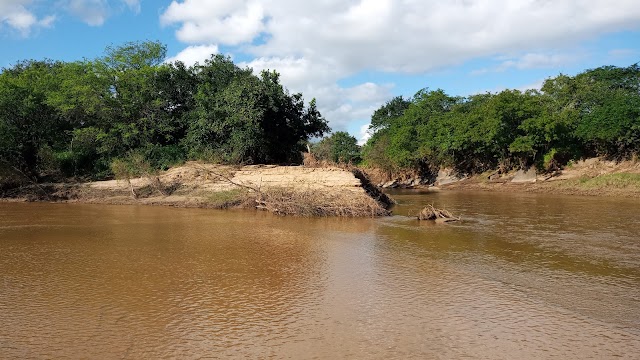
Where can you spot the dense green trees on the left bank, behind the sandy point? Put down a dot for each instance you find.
(75, 119)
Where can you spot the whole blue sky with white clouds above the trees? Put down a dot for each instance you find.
(350, 55)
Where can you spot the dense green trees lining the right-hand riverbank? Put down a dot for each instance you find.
(595, 113)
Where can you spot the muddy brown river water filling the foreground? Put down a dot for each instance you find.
(521, 277)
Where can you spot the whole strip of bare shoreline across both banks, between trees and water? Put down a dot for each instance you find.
(319, 191)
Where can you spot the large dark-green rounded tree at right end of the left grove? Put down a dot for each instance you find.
(250, 119)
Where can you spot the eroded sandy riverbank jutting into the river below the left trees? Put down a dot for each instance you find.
(283, 190)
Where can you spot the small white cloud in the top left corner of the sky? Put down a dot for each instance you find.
(17, 15)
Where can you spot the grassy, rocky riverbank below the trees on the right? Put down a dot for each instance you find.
(590, 177)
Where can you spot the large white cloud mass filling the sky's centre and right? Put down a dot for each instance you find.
(315, 44)
